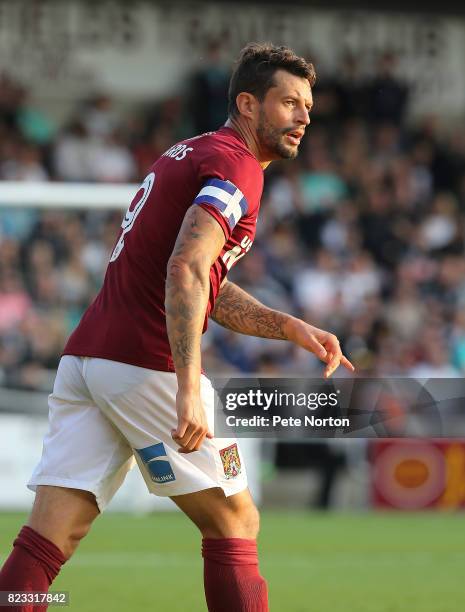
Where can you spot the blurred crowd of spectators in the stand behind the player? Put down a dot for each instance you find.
(363, 234)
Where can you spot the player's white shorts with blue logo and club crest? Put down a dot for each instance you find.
(106, 415)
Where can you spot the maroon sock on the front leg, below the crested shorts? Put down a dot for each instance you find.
(232, 580)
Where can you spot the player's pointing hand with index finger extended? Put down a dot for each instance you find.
(321, 343)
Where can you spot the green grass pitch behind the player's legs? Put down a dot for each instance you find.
(313, 562)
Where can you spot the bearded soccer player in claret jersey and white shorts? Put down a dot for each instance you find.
(130, 385)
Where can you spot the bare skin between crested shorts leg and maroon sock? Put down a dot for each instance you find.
(218, 516)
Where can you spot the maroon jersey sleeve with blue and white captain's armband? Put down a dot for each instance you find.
(231, 190)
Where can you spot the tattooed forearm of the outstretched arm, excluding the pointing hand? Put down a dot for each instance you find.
(235, 309)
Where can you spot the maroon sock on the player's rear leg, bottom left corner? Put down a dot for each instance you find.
(32, 565)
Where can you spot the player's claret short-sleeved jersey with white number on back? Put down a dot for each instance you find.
(126, 321)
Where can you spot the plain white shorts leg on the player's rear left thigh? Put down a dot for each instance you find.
(82, 449)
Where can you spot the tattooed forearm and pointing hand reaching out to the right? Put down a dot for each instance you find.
(238, 311)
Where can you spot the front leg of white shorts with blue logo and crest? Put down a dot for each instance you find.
(141, 403)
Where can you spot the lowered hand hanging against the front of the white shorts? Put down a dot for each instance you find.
(192, 426)
